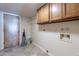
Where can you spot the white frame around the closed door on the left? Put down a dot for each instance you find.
(18, 27)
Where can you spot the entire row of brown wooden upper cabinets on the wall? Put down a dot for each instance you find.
(58, 12)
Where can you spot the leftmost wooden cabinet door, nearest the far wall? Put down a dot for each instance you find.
(43, 14)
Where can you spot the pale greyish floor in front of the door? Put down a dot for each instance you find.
(29, 50)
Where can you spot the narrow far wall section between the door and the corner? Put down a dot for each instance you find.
(25, 24)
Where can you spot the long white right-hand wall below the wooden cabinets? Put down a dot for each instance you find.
(50, 39)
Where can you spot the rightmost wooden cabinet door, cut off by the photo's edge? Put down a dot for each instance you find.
(71, 9)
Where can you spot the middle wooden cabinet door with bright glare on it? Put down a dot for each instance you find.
(56, 11)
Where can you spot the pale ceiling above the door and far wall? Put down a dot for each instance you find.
(23, 9)
